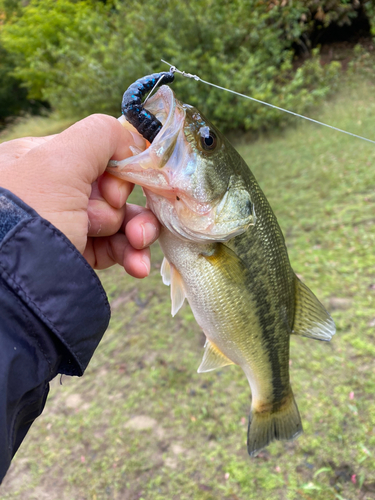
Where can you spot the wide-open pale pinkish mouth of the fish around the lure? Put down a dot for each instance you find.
(146, 168)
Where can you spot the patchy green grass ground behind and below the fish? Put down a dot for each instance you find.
(142, 424)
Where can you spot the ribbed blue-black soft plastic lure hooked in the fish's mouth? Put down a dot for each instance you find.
(132, 108)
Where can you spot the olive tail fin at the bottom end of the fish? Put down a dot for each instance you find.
(284, 425)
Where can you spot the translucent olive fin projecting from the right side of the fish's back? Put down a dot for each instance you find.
(310, 318)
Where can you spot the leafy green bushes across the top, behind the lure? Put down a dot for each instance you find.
(81, 55)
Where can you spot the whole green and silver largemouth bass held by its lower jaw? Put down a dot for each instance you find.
(225, 253)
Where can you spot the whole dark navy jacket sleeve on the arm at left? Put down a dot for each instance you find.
(53, 314)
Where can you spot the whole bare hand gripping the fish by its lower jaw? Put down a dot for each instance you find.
(63, 178)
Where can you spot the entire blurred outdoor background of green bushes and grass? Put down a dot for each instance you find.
(141, 423)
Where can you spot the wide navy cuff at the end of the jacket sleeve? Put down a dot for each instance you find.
(51, 277)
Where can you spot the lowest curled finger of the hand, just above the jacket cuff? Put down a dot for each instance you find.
(105, 252)
